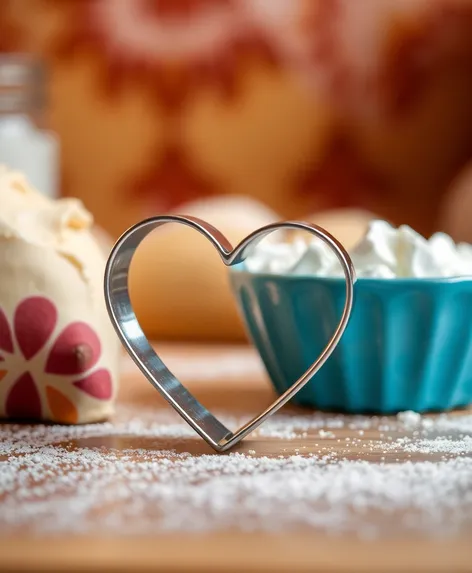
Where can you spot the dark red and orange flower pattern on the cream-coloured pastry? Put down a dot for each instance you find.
(74, 353)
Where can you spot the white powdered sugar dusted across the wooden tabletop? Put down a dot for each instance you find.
(147, 472)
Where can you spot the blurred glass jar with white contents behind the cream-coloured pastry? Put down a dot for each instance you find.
(26, 144)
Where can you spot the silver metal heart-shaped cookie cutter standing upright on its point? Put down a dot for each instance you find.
(137, 345)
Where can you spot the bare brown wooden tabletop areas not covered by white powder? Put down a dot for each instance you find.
(231, 379)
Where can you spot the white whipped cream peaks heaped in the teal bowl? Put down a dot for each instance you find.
(384, 252)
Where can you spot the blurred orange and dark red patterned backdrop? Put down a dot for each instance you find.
(303, 104)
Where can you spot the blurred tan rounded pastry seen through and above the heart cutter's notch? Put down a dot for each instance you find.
(179, 285)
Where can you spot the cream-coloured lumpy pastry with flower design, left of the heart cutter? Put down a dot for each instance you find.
(59, 354)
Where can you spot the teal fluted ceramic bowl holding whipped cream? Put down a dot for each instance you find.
(408, 344)
